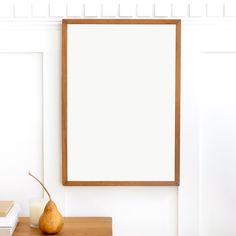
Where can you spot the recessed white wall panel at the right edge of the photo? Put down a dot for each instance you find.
(218, 150)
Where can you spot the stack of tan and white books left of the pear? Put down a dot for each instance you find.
(9, 211)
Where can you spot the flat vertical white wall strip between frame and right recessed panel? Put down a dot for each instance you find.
(190, 131)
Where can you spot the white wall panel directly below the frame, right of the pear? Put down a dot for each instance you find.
(136, 211)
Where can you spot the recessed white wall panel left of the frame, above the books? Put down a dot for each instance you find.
(21, 123)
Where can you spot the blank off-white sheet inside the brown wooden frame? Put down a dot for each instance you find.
(121, 102)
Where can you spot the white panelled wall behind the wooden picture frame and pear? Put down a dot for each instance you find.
(30, 48)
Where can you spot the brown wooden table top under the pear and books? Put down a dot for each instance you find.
(73, 226)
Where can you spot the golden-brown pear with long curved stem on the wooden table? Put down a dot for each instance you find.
(51, 220)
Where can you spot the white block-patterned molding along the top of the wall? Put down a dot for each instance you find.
(58, 9)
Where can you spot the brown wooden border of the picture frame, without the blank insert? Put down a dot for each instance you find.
(65, 180)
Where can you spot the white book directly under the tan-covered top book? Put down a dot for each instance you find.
(11, 218)
